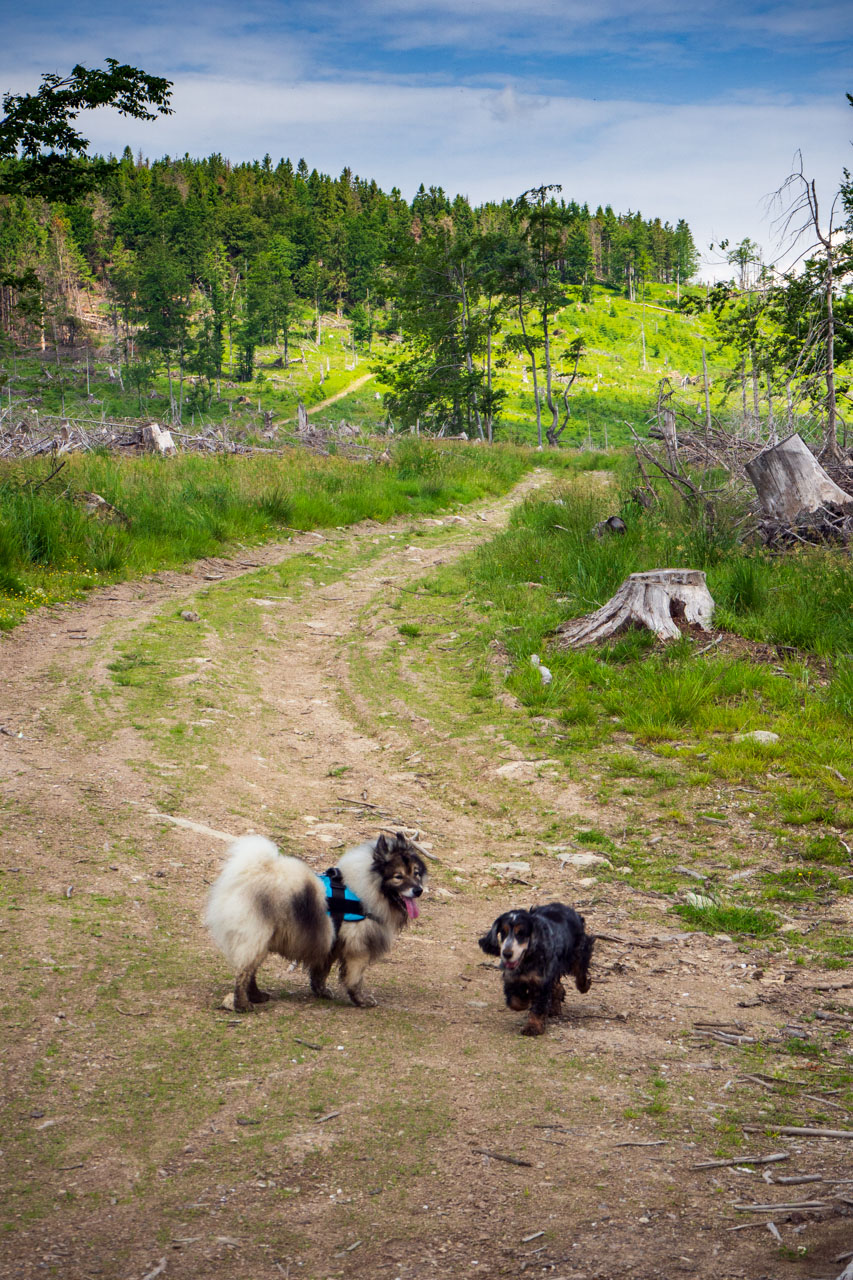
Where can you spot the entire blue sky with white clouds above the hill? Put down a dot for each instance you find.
(681, 111)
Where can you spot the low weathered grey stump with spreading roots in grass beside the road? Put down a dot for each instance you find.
(655, 601)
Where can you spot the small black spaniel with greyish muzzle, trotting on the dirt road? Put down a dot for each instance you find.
(537, 949)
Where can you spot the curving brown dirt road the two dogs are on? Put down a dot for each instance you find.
(149, 1132)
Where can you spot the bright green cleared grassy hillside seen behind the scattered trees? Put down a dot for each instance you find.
(630, 349)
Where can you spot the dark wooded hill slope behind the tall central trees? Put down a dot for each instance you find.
(179, 258)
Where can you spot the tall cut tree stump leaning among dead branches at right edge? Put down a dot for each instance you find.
(791, 482)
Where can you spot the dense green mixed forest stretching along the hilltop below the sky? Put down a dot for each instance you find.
(191, 266)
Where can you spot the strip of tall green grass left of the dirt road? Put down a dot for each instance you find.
(183, 509)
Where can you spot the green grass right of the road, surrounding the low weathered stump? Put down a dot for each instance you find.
(654, 732)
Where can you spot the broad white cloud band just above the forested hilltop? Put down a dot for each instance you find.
(711, 164)
